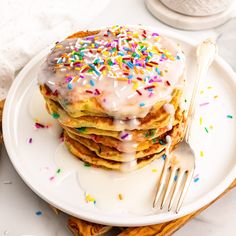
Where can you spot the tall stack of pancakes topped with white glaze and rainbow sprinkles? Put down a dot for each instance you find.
(116, 93)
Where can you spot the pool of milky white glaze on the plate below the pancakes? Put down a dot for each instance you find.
(136, 188)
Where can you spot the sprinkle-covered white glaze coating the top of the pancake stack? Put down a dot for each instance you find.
(119, 98)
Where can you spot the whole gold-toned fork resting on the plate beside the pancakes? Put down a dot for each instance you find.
(179, 165)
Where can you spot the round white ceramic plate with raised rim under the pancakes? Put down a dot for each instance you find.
(38, 162)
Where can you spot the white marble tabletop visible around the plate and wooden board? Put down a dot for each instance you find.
(18, 204)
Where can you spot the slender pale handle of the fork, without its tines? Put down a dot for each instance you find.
(206, 52)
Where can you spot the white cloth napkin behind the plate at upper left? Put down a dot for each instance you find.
(27, 26)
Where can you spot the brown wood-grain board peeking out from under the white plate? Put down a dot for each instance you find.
(83, 228)
